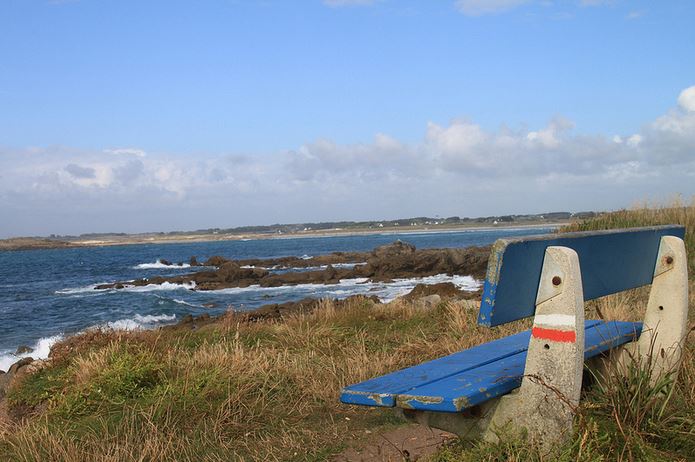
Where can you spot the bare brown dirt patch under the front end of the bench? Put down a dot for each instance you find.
(409, 443)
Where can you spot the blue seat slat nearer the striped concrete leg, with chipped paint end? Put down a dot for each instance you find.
(475, 386)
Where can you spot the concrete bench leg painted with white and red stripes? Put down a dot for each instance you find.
(545, 404)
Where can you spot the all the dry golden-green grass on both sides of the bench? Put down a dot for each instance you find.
(233, 390)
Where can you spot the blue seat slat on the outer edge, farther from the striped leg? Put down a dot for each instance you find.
(382, 391)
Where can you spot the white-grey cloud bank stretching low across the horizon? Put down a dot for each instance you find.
(458, 168)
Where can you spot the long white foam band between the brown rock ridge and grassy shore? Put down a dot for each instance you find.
(386, 291)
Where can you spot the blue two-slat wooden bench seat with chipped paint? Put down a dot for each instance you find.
(465, 379)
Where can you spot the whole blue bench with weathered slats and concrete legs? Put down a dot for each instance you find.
(533, 379)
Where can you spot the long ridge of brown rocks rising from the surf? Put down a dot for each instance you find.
(384, 263)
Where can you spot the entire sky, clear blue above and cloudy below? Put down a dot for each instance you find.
(132, 116)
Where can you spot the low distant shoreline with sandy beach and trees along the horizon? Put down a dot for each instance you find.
(150, 238)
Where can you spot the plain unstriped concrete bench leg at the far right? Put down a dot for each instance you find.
(660, 347)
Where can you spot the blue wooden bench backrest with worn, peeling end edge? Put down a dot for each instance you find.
(610, 261)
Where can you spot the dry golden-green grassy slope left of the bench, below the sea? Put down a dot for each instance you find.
(227, 391)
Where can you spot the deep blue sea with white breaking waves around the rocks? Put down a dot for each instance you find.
(46, 295)
